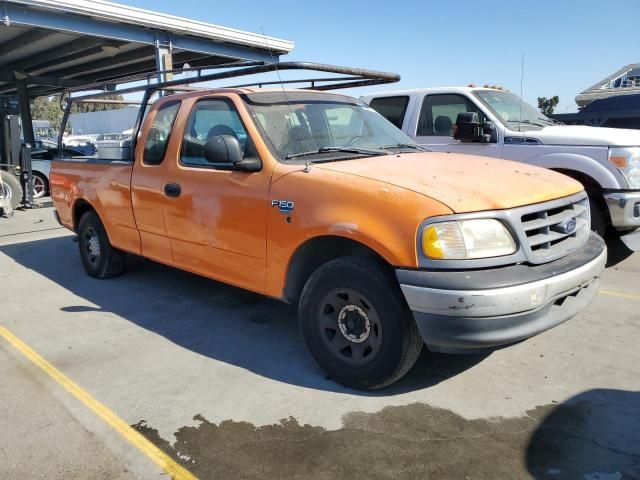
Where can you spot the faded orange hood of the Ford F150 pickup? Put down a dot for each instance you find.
(464, 183)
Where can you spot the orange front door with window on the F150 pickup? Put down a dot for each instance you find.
(216, 216)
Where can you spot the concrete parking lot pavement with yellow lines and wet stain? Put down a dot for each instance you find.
(219, 381)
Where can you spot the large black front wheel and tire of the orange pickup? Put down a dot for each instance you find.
(357, 325)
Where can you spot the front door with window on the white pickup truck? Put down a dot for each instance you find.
(436, 119)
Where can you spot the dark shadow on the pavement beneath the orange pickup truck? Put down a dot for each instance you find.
(210, 318)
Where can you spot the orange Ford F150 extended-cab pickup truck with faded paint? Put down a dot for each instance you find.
(314, 198)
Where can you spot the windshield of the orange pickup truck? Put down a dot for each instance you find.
(323, 127)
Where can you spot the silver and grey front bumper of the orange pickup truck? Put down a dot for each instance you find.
(505, 305)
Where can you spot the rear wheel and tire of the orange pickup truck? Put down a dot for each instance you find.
(99, 258)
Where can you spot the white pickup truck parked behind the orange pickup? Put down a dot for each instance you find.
(497, 123)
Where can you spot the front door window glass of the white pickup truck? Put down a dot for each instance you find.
(440, 112)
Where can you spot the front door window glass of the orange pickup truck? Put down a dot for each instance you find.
(210, 118)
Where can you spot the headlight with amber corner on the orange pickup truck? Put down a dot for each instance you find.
(465, 239)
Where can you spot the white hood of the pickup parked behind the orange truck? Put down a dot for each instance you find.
(584, 135)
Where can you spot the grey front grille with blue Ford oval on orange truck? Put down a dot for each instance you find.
(555, 229)
